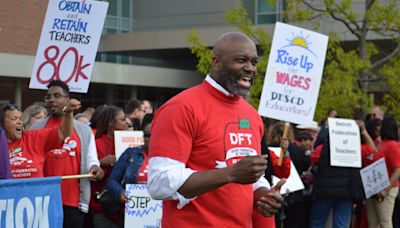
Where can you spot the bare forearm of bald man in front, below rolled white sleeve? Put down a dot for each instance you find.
(202, 182)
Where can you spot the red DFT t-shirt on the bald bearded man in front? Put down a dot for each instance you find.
(206, 129)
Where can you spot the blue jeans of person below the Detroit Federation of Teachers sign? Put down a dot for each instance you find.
(341, 213)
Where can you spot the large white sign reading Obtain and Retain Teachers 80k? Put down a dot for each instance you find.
(68, 44)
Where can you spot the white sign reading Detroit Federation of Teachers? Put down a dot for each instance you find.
(344, 142)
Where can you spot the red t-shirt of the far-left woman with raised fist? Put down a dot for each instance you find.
(28, 154)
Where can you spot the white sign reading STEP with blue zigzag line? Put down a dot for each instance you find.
(141, 210)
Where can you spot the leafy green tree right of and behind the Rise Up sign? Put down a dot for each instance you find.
(350, 75)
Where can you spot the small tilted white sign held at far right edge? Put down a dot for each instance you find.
(374, 177)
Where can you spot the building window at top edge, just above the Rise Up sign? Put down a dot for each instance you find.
(267, 12)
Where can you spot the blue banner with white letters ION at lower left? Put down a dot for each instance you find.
(31, 203)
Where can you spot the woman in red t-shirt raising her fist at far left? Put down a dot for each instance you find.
(27, 149)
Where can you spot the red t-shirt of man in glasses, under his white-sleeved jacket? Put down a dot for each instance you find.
(65, 160)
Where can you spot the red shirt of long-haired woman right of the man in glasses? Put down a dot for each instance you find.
(105, 146)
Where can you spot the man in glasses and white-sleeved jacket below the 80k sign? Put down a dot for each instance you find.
(77, 155)
